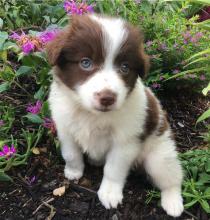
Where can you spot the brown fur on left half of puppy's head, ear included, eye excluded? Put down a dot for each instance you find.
(83, 38)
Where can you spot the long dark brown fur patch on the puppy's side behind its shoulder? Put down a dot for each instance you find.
(152, 117)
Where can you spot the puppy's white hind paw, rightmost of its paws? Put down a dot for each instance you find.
(172, 202)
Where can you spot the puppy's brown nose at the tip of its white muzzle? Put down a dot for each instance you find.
(106, 97)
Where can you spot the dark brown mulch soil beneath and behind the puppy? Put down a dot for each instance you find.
(24, 200)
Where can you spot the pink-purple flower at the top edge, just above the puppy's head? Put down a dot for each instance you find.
(72, 7)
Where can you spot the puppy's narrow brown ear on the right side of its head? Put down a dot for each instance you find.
(144, 60)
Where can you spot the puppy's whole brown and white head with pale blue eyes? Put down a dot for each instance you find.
(99, 59)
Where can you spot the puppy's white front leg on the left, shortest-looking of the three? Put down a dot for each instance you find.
(73, 157)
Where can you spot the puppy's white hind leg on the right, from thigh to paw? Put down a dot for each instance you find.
(162, 165)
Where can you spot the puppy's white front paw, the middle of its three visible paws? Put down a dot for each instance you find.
(110, 194)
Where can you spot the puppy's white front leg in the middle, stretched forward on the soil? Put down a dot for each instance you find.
(118, 163)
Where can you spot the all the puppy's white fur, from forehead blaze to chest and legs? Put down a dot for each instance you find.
(113, 136)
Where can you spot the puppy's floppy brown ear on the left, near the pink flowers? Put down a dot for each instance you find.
(54, 47)
